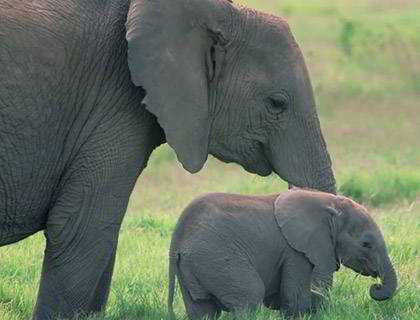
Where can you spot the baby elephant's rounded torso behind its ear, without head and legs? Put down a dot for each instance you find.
(220, 237)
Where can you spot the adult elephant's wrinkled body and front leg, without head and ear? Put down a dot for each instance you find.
(73, 140)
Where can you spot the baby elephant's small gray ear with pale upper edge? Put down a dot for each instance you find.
(306, 220)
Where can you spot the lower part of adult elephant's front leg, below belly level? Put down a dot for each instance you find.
(77, 271)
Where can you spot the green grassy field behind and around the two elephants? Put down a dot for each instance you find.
(364, 58)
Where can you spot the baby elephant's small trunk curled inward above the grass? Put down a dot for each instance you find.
(388, 285)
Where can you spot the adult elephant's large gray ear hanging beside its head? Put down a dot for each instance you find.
(168, 42)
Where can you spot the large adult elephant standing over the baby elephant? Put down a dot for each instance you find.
(214, 78)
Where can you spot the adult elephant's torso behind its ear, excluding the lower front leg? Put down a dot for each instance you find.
(64, 125)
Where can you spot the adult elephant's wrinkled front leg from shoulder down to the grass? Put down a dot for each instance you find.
(83, 225)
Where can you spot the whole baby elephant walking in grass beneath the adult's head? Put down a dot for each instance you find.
(233, 252)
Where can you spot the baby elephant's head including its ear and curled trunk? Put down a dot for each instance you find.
(332, 230)
